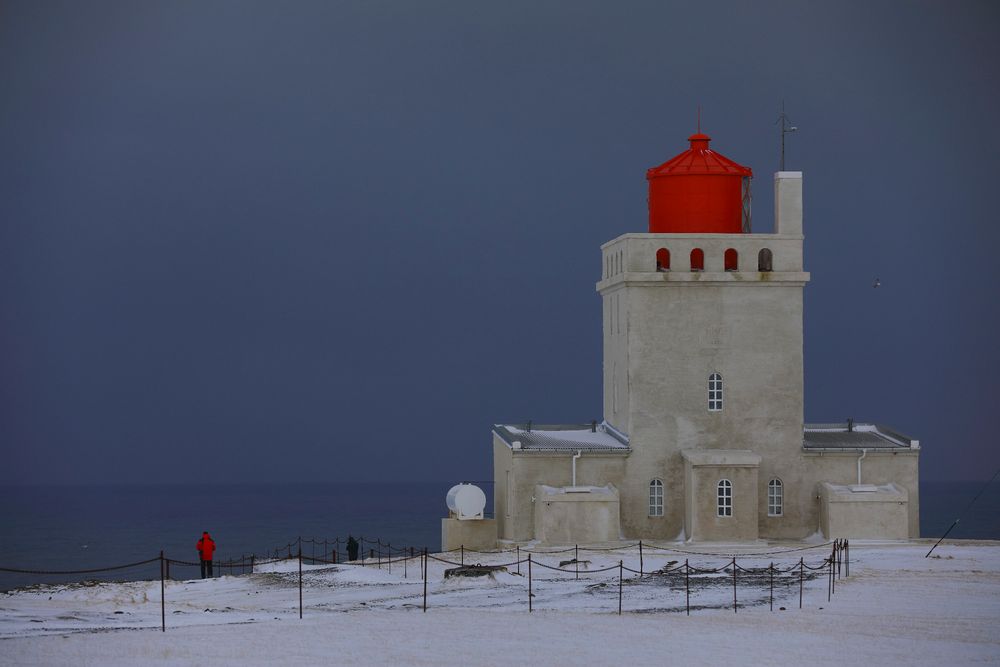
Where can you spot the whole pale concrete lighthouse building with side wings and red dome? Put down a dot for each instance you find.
(703, 435)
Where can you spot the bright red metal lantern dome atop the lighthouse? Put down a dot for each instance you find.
(699, 192)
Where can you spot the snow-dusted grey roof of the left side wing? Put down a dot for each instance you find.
(563, 438)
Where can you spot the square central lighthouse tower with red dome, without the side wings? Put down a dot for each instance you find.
(703, 363)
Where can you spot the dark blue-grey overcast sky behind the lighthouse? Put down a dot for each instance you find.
(263, 241)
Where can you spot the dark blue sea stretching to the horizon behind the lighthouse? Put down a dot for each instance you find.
(58, 528)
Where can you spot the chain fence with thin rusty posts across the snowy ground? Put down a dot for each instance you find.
(375, 553)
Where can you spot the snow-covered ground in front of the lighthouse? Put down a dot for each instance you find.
(897, 607)
